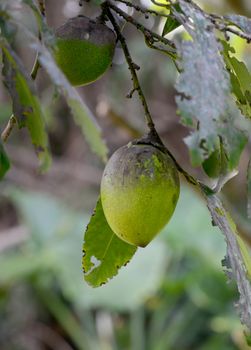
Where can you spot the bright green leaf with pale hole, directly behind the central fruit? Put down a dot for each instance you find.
(104, 252)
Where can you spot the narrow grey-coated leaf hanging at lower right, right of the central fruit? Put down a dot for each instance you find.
(238, 260)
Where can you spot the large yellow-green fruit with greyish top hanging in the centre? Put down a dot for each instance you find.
(139, 192)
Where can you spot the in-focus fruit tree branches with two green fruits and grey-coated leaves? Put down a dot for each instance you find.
(141, 181)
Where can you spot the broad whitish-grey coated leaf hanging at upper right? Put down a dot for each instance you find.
(204, 93)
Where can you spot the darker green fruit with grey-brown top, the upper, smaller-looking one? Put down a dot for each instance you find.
(85, 49)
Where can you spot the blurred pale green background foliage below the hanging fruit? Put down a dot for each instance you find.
(173, 294)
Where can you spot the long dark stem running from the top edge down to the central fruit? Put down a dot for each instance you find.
(131, 66)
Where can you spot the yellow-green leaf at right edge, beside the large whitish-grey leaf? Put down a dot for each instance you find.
(240, 79)
